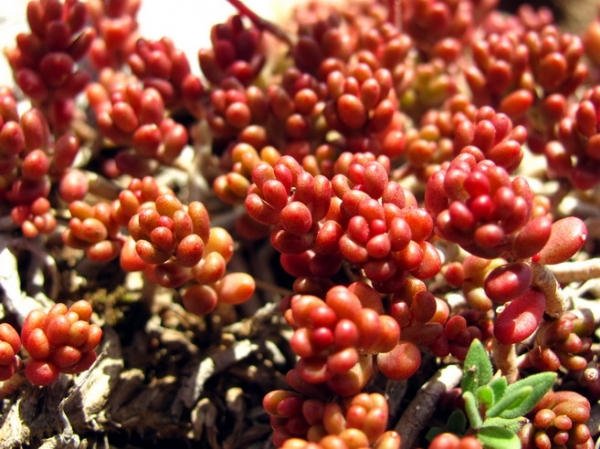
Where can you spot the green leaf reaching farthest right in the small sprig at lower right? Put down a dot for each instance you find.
(539, 383)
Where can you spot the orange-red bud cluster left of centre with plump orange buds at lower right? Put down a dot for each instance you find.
(174, 245)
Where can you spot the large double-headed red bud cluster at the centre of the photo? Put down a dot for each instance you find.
(362, 217)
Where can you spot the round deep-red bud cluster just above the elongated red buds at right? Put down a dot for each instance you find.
(478, 206)
